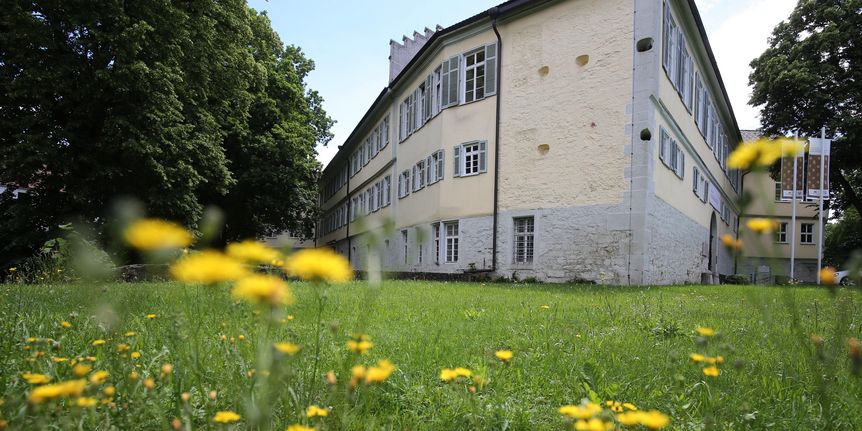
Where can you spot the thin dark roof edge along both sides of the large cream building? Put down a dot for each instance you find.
(505, 8)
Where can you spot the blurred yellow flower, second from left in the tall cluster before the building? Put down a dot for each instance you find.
(208, 267)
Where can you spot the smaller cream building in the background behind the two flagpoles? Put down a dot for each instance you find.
(766, 258)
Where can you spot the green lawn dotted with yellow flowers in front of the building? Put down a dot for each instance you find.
(627, 344)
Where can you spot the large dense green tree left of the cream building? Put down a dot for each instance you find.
(178, 104)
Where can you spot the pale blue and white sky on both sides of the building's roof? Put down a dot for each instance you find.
(349, 43)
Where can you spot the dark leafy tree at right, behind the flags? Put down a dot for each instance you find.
(811, 76)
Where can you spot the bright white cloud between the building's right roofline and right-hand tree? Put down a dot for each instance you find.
(740, 38)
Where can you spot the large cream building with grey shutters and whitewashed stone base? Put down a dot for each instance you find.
(561, 140)
